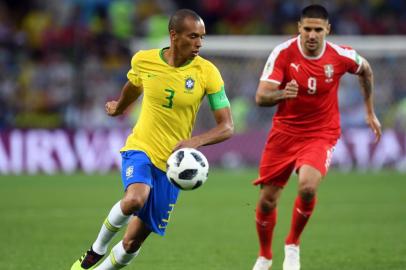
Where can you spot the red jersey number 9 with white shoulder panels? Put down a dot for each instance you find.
(314, 112)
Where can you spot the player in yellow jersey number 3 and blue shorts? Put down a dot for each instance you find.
(173, 82)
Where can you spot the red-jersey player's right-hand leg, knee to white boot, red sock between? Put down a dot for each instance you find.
(309, 181)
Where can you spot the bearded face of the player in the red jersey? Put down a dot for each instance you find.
(312, 34)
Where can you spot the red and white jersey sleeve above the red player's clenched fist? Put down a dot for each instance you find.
(274, 67)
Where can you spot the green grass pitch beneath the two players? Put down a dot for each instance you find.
(46, 222)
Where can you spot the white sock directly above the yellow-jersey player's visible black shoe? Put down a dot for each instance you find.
(111, 225)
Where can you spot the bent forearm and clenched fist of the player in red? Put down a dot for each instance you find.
(269, 94)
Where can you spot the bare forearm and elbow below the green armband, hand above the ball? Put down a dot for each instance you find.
(222, 131)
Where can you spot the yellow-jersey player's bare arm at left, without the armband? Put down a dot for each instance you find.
(129, 94)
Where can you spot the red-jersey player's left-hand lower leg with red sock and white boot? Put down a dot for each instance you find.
(266, 214)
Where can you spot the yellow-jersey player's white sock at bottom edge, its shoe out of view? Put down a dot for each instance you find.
(117, 259)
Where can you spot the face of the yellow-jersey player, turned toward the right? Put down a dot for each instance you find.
(189, 41)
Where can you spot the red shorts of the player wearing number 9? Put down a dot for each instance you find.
(284, 154)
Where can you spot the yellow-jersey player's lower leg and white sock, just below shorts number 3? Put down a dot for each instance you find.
(127, 249)
